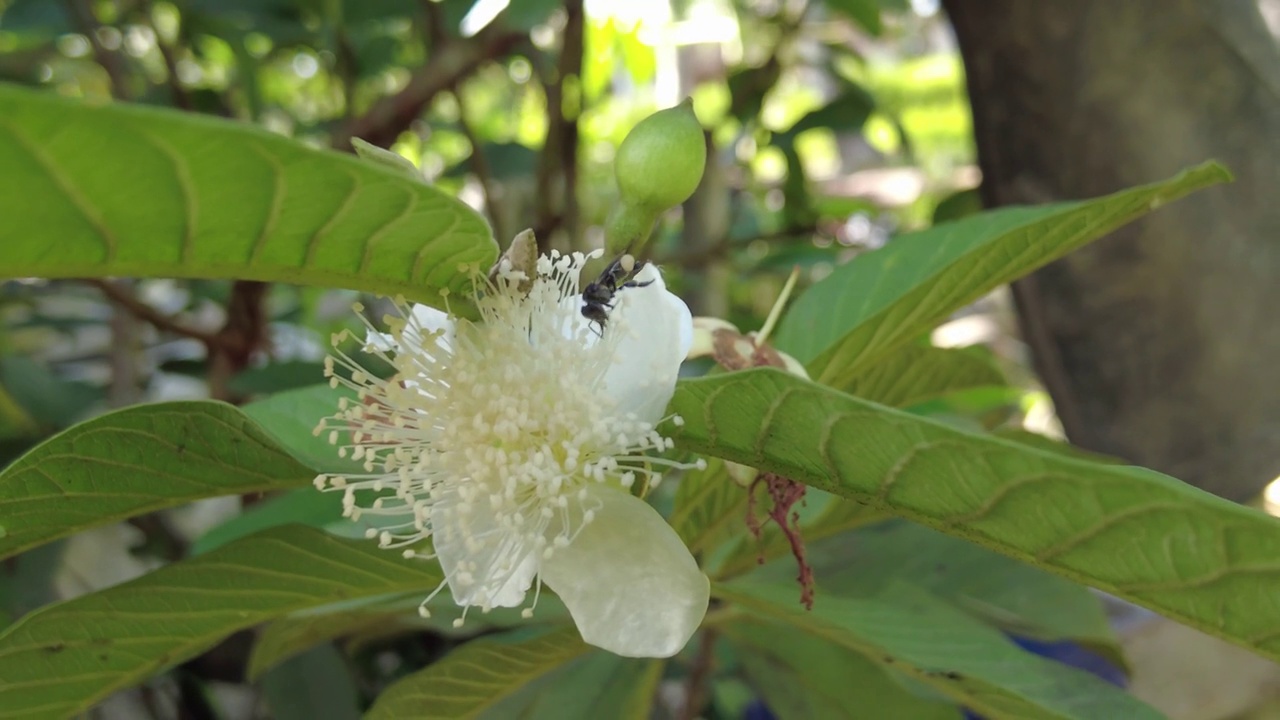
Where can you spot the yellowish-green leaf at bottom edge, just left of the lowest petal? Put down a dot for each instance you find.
(478, 676)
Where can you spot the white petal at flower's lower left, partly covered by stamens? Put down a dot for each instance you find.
(502, 572)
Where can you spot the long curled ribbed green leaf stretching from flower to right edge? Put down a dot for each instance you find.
(1133, 532)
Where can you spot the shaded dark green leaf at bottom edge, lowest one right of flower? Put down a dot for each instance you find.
(802, 676)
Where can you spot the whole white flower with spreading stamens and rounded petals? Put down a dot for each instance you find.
(513, 444)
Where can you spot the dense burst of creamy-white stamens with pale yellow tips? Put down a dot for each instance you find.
(487, 438)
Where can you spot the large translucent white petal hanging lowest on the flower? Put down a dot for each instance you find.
(629, 581)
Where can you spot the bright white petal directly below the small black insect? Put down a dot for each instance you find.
(659, 331)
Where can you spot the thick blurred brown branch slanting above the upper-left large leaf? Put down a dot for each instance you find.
(451, 62)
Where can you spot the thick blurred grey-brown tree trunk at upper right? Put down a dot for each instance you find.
(1160, 344)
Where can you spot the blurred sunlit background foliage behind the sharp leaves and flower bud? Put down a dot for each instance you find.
(833, 125)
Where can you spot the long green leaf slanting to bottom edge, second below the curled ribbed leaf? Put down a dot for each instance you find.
(926, 640)
